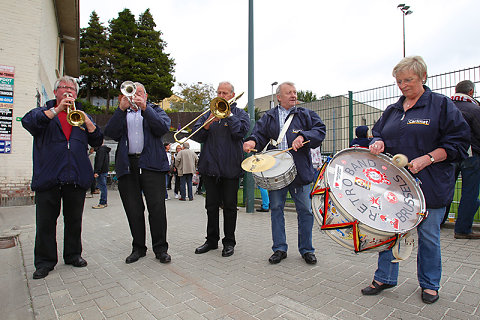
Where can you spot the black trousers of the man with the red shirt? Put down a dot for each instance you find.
(48, 205)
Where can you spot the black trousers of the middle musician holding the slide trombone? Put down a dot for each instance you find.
(221, 191)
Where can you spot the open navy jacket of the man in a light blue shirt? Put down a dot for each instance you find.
(155, 124)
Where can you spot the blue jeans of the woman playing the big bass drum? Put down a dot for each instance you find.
(429, 259)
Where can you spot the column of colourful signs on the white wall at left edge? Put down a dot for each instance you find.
(7, 75)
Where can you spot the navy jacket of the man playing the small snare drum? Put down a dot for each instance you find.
(305, 123)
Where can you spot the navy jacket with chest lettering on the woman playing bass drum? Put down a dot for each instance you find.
(433, 122)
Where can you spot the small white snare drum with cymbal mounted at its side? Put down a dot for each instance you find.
(278, 176)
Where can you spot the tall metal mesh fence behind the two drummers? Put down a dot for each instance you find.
(342, 114)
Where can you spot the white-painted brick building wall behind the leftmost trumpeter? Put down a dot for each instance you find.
(29, 44)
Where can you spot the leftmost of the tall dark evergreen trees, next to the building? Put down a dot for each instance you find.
(94, 62)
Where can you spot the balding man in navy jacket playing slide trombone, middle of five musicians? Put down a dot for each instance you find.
(219, 165)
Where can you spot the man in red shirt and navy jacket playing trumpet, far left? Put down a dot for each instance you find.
(61, 171)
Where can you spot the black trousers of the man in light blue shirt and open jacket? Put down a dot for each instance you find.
(132, 188)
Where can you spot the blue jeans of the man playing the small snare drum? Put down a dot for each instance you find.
(301, 197)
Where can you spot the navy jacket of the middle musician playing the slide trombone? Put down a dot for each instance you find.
(222, 151)
